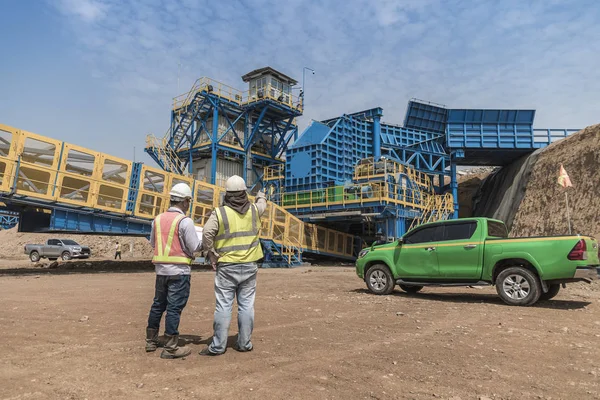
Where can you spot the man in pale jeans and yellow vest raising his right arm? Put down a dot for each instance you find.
(231, 237)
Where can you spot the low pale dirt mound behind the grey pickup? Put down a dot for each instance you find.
(13, 243)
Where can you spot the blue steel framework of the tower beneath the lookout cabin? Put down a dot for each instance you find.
(259, 132)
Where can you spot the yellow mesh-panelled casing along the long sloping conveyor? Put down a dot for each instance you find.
(57, 172)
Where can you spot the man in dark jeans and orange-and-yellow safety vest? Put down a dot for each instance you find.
(174, 241)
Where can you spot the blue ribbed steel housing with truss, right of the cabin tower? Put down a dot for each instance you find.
(327, 151)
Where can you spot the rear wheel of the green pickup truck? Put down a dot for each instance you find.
(518, 286)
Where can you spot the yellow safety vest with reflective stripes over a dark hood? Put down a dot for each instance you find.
(237, 239)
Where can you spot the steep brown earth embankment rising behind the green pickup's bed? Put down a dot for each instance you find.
(542, 210)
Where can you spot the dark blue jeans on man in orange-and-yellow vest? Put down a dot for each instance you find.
(171, 294)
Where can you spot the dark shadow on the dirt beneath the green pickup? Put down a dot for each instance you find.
(462, 297)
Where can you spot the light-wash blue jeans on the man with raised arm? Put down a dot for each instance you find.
(233, 280)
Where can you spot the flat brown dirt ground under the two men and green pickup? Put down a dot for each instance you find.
(318, 335)
